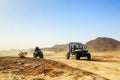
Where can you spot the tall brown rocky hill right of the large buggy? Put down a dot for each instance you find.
(103, 44)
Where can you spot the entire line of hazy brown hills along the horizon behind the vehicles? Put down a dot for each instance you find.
(98, 44)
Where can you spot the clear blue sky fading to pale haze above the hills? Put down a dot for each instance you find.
(29, 23)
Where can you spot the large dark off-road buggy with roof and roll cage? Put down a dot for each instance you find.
(79, 50)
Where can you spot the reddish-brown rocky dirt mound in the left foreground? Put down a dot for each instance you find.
(13, 68)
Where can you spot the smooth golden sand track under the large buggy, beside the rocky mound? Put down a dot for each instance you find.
(103, 64)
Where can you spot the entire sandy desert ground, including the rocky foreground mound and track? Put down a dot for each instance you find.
(103, 66)
